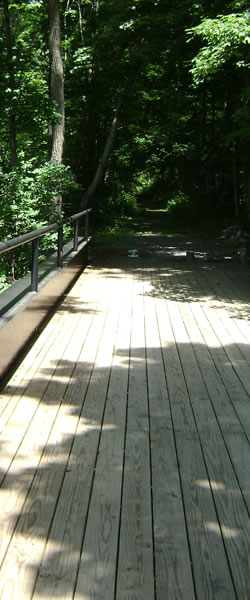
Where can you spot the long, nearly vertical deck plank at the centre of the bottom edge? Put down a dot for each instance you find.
(135, 572)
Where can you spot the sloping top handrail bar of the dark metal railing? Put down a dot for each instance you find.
(37, 233)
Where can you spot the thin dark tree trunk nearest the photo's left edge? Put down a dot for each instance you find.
(12, 114)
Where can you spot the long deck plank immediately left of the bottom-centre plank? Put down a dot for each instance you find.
(97, 577)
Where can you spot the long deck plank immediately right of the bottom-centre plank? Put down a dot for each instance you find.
(173, 571)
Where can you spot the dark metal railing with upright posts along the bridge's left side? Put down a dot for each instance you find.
(34, 237)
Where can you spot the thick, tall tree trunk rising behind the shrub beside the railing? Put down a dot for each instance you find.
(56, 90)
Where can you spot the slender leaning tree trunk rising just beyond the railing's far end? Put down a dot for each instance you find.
(103, 164)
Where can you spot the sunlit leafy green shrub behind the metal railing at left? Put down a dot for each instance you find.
(28, 201)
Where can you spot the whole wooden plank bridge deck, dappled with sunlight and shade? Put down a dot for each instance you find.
(124, 448)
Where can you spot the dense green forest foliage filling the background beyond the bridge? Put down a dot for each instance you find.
(179, 73)
